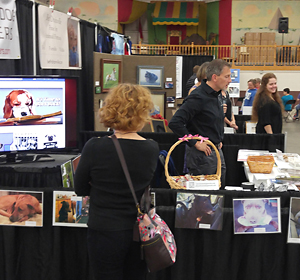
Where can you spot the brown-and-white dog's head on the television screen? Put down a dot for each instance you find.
(18, 103)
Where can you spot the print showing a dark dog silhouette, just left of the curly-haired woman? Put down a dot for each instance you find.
(69, 209)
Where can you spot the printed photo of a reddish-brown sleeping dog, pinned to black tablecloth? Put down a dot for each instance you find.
(20, 208)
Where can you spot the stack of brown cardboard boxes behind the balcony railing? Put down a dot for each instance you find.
(266, 40)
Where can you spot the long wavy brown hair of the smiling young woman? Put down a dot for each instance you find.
(262, 97)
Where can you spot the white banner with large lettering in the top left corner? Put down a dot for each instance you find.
(9, 34)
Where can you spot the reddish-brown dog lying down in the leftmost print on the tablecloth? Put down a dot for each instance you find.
(19, 208)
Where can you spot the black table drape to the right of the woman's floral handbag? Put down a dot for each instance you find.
(219, 255)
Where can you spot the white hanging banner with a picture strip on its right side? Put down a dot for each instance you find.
(59, 40)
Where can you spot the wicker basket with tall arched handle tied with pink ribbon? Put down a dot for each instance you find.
(173, 180)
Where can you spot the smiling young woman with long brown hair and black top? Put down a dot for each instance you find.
(267, 106)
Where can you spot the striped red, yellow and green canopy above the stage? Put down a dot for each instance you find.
(176, 13)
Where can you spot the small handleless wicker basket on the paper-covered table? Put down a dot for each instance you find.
(261, 164)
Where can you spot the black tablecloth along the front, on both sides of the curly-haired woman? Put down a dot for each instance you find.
(58, 253)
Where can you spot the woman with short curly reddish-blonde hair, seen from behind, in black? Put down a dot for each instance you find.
(112, 252)
